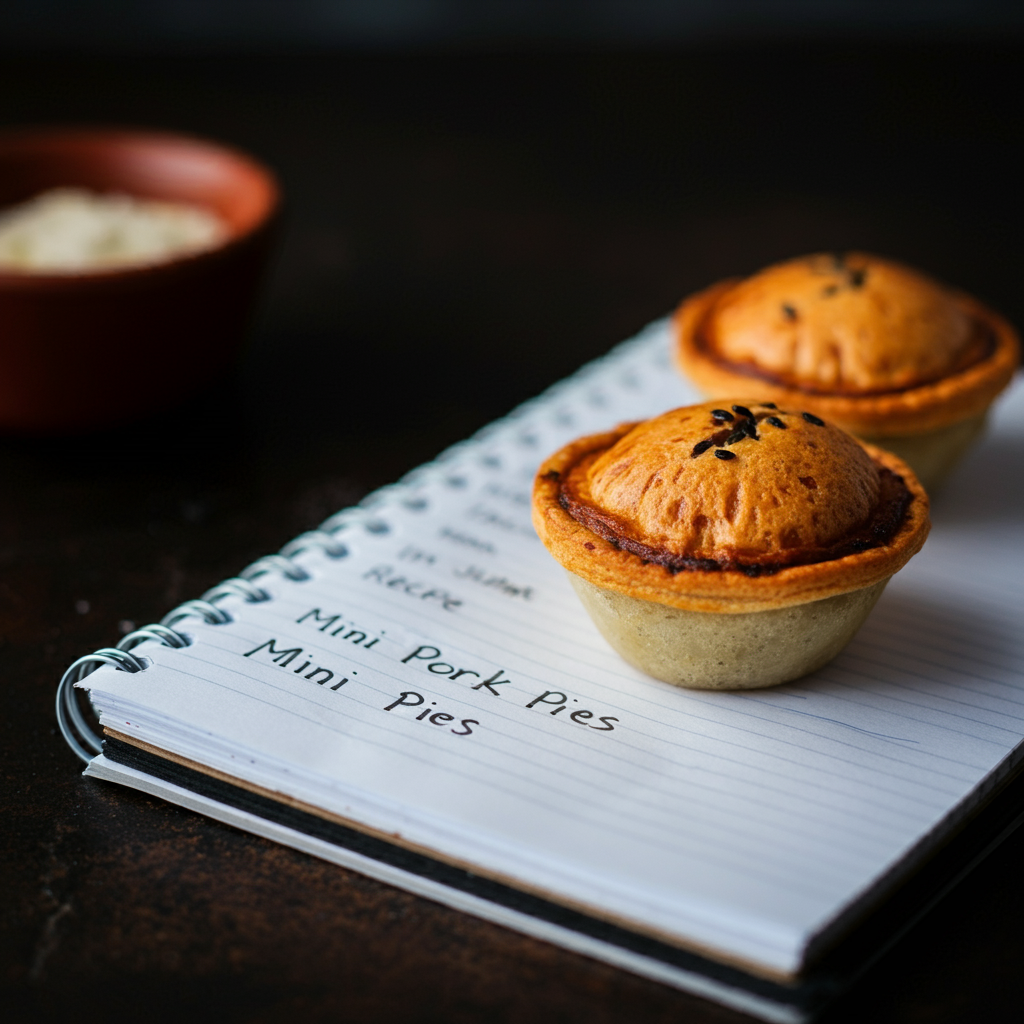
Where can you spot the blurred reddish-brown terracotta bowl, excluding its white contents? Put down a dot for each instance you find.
(86, 351)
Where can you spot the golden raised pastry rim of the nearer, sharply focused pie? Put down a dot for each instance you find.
(730, 591)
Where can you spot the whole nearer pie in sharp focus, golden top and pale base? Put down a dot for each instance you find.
(733, 544)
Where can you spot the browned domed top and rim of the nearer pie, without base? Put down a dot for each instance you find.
(730, 506)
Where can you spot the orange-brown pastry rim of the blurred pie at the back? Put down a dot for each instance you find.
(910, 411)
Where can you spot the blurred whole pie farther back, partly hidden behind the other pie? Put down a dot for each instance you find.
(871, 346)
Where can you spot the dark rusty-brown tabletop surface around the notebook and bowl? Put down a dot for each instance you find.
(463, 231)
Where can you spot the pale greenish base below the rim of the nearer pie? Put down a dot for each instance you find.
(720, 652)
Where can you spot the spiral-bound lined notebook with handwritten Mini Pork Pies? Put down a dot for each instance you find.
(415, 692)
